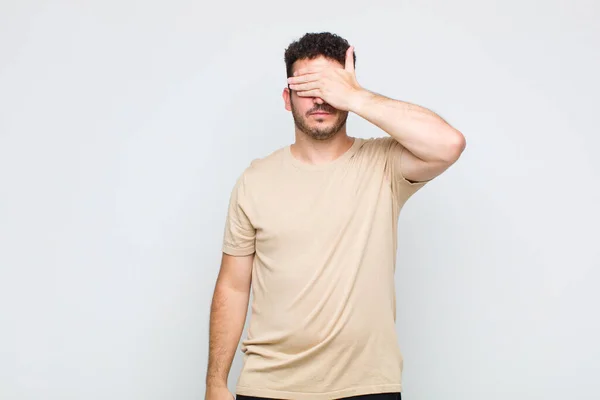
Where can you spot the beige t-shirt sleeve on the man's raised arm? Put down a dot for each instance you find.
(402, 188)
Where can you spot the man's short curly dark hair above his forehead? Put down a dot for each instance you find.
(313, 45)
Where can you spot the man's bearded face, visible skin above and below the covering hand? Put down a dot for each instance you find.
(312, 115)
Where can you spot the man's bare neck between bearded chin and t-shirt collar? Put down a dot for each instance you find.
(312, 151)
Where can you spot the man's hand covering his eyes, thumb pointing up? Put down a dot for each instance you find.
(336, 86)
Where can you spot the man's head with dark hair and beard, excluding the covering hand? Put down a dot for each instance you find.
(315, 50)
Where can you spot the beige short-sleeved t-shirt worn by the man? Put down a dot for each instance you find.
(322, 324)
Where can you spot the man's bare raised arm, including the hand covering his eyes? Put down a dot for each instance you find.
(433, 145)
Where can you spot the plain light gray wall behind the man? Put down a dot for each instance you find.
(124, 124)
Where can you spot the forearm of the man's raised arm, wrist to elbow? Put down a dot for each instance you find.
(424, 133)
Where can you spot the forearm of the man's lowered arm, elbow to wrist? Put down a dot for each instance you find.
(227, 317)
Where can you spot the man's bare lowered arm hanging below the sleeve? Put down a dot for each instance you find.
(227, 316)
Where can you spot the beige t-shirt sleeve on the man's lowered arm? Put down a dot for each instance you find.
(239, 236)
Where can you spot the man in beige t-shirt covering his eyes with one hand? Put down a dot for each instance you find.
(311, 229)
